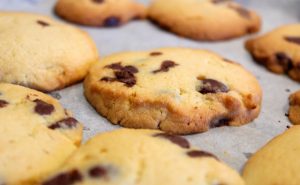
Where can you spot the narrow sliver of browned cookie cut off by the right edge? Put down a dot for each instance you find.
(294, 110)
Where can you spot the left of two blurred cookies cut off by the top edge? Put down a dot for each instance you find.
(108, 13)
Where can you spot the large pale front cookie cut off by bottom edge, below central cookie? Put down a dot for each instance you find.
(142, 157)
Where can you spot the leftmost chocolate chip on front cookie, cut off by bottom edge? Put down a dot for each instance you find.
(67, 178)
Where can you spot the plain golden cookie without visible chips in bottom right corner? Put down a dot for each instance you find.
(277, 162)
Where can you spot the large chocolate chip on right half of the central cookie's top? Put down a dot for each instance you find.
(212, 86)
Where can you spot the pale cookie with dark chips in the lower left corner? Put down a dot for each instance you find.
(36, 135)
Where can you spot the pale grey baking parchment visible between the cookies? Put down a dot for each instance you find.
(233, 145)
